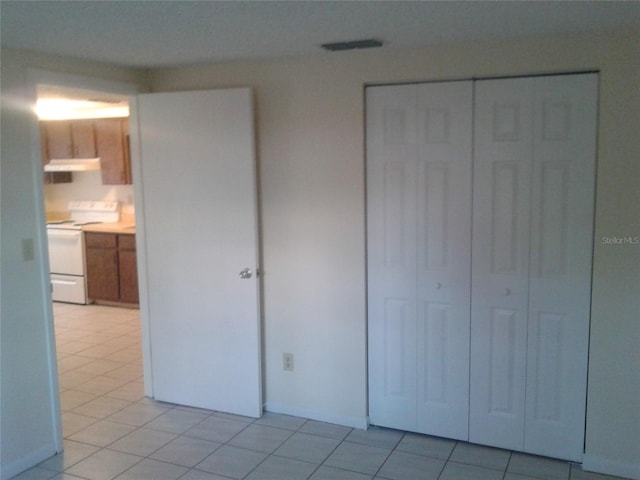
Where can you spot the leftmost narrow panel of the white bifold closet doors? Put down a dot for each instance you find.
(391, 252)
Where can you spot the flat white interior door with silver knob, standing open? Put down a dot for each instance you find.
(199, 227)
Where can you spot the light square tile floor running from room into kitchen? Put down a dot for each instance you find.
(111, 430)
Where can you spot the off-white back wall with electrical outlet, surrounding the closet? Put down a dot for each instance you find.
(311, 161)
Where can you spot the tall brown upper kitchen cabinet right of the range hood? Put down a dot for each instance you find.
(113, 150)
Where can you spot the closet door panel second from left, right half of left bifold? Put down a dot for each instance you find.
(444, 254)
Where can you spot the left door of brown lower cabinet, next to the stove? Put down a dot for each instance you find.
(102, 266)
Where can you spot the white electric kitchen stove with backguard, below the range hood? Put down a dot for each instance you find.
(66, 248)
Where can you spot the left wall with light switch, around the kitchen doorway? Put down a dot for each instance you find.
(28, 384)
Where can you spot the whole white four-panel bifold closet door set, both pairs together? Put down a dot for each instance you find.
(480, 201)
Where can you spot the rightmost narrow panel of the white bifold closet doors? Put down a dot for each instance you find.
(563, 180)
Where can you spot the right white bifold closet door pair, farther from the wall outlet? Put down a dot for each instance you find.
(533, 204)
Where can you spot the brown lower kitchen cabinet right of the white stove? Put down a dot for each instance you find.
(111, 267)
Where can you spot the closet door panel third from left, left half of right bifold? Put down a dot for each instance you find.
(500, 270)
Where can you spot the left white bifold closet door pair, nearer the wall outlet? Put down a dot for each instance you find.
(418, 228)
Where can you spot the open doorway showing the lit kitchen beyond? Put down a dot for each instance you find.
(97, 332)
